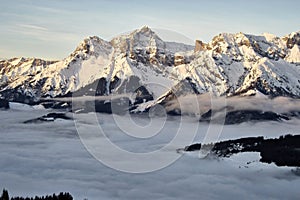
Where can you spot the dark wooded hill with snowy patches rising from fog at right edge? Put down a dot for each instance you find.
(283, 151)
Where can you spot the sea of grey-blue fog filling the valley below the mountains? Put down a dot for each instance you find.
(72, 155)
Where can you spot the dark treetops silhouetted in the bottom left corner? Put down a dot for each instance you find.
(60, 196)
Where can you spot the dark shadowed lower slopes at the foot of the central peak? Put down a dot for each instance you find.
(102, 87)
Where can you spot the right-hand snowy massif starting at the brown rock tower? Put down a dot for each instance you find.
(248, 63)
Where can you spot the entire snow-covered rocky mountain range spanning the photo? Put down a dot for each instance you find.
(142, 63)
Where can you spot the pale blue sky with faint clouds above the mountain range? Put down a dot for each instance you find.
(51, 29)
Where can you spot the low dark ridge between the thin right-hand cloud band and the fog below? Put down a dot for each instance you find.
(240, 116)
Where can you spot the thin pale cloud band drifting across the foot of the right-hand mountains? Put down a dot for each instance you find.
(199, 104)
